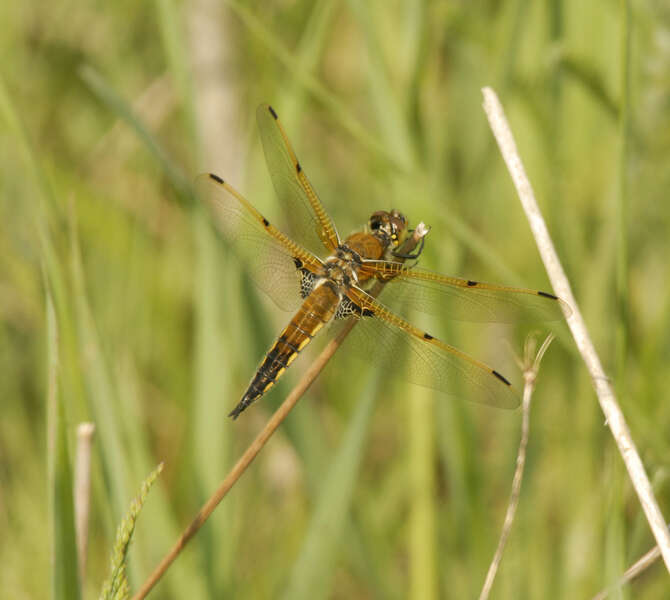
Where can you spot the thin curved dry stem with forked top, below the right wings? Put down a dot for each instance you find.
(530, 376)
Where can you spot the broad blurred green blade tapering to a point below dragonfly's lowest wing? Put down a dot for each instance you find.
(315, 566)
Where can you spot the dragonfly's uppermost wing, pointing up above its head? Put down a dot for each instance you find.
(308, 222)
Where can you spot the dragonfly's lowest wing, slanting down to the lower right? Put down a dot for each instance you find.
(381, 337)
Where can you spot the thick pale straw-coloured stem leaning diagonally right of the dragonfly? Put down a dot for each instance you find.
(603, 387)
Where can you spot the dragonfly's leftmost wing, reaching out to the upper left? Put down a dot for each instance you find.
(274, 262)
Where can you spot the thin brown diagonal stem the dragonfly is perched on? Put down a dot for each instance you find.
(261, 439)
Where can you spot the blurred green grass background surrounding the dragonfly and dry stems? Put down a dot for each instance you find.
(114, 283)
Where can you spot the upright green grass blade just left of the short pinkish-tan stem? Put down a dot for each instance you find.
(64, 561)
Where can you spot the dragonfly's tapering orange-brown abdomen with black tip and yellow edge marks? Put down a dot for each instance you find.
(317, 310)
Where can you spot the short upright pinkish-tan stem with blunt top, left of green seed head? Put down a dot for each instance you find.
(82, 492)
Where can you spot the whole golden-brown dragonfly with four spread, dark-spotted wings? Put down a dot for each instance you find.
(308, 269)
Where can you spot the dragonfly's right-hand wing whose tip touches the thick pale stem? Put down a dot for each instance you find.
(462, 299)
